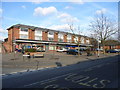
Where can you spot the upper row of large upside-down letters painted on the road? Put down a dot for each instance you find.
(87, 81)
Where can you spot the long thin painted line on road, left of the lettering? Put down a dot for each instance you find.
(48, 80)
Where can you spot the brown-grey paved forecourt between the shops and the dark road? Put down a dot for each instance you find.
(12, 63)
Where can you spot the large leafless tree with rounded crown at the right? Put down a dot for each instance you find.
(103, 28)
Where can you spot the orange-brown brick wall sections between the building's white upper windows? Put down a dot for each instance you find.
(14, 33)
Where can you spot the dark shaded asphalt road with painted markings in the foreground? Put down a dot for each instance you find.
(101, 73)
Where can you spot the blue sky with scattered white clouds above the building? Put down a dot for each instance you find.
(54, 15)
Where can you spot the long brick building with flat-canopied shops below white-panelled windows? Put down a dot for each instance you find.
(25, 36)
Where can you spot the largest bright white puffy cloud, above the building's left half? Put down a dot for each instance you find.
(44, 11)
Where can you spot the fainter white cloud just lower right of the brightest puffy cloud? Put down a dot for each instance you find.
(65, 17)
